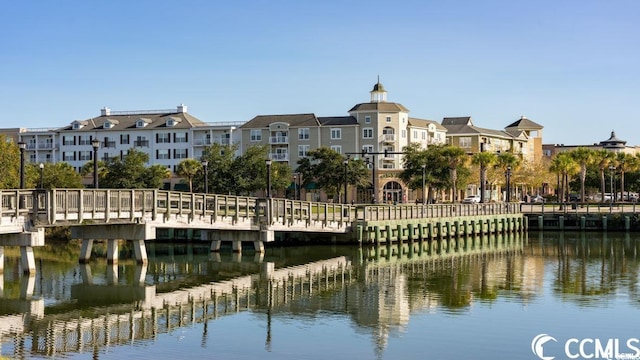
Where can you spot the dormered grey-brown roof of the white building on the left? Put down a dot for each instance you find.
(182, 120)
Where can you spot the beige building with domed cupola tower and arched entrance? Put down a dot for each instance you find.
(377, 128)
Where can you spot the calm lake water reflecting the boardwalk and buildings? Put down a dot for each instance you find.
(483, 298)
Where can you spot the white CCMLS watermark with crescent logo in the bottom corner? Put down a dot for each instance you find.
(546, 347)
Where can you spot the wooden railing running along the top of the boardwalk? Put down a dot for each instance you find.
(47, 207)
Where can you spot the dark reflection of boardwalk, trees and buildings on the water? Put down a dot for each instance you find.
(69, 308)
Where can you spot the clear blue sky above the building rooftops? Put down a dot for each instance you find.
(571, 66)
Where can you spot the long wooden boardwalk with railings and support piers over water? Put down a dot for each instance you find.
(136, 214)
